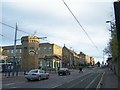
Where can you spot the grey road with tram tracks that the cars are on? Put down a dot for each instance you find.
(88, 79)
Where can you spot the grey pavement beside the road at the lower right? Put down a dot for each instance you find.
(109, 81)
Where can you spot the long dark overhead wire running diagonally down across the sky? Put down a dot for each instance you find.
(80, 25)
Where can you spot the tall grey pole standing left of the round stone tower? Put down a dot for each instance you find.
(14, 52)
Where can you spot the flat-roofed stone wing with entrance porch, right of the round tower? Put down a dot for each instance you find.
(50, 56)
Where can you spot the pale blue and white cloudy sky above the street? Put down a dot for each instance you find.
(52, 19)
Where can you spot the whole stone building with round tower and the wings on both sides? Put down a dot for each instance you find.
(33, 54)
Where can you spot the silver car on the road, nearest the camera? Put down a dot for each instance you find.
(36, 74)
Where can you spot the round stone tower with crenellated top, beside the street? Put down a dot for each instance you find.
(30, 45)
